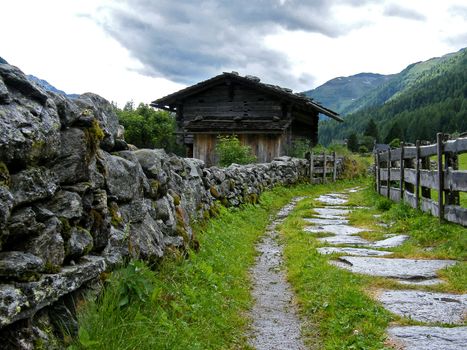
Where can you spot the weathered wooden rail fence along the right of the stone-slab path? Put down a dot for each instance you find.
(409, 174)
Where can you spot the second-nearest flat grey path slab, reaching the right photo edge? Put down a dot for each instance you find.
(426, 306)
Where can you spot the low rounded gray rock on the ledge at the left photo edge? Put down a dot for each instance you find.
(19, 264)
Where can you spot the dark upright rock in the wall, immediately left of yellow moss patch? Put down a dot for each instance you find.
(72, 165)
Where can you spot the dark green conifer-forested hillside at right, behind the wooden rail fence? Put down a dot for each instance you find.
(424, 99)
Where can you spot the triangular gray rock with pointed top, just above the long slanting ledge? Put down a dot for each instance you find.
(49, 244)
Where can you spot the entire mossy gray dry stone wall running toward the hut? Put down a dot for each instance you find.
(76, 200)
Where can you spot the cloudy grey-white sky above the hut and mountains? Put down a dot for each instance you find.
(141, 50)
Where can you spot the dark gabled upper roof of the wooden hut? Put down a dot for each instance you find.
(300, 100)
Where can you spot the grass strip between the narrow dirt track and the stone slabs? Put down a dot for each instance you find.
(337, 311)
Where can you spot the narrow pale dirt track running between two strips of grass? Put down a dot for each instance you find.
(275, 321)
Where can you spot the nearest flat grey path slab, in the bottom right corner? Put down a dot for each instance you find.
(428, 338)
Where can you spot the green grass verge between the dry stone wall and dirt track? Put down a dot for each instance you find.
(199, 302)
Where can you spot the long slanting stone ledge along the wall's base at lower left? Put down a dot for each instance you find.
(24, 299)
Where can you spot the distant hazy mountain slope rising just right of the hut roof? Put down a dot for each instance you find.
(339, 94)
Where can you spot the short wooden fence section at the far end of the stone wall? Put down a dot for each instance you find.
(324, 167)
